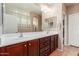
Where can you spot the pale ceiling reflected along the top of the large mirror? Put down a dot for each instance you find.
(31, 7)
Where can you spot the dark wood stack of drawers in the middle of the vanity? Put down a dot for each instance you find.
(45, 46)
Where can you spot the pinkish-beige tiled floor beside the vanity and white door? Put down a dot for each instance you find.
(68, 51)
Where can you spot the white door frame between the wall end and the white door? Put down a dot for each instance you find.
(65, 30)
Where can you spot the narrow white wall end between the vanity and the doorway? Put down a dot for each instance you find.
(60, 25)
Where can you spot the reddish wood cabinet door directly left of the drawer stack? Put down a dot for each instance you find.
(33, 47)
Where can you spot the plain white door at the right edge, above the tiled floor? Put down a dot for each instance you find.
(74, 29)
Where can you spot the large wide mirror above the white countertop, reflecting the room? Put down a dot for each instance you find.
(21, 17)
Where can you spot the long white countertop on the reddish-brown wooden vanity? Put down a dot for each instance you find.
(10, 39)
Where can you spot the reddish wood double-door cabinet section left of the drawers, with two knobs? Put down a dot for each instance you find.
(29, 48)
